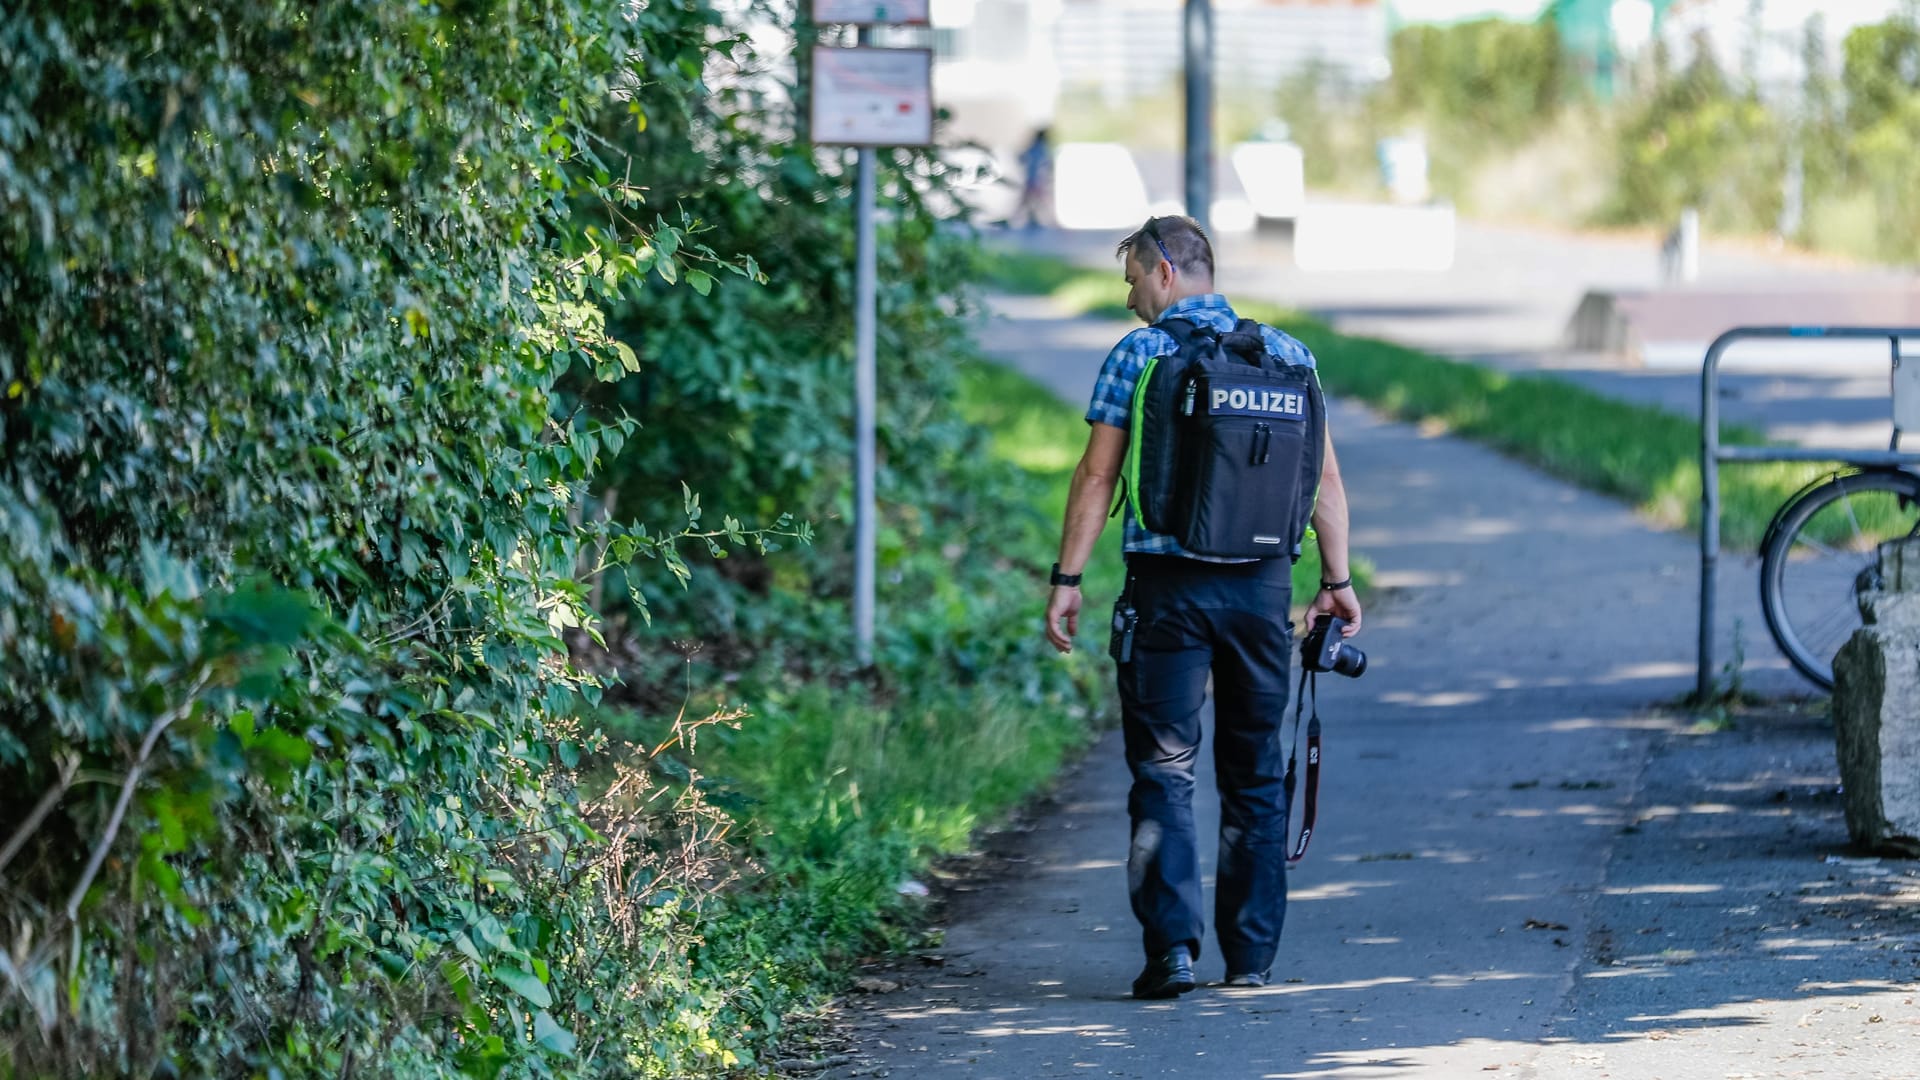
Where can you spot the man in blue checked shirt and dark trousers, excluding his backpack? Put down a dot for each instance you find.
(1197, 618)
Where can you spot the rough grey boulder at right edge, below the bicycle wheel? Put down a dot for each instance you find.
(1877, 708)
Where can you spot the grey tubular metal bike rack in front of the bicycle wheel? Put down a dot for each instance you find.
(1906, 387)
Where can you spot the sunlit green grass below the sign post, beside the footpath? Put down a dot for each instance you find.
(844, 793)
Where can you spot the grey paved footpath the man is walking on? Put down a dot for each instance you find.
(1524, 866)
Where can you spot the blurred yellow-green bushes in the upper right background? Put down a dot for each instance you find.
(1512, 134)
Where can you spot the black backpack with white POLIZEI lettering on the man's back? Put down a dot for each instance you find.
(1226, 445)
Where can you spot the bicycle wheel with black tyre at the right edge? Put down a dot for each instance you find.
(1823, 552)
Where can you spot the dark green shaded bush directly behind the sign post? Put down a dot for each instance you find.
(746, 397)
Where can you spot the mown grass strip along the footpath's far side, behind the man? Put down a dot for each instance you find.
(1641, 454)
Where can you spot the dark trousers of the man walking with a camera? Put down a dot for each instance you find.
(1230, 622)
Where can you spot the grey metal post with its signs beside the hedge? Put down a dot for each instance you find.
(869, 97)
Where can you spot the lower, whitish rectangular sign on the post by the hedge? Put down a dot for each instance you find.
(873, 97)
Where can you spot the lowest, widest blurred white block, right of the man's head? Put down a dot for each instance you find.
(1372, 237)
